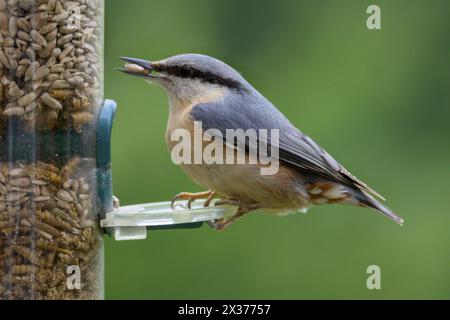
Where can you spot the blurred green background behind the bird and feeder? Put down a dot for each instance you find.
(379, 101)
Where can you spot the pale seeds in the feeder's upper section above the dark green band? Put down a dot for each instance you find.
(49, 45)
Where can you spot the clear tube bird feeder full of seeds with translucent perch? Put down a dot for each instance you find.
(55, 169)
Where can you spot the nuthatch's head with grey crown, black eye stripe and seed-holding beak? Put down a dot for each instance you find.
(188, 77)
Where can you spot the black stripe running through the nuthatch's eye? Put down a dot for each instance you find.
(192, 73)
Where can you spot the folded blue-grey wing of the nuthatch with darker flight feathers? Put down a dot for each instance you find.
(252, 111)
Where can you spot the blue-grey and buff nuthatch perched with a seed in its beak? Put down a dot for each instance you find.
(203, 90)
